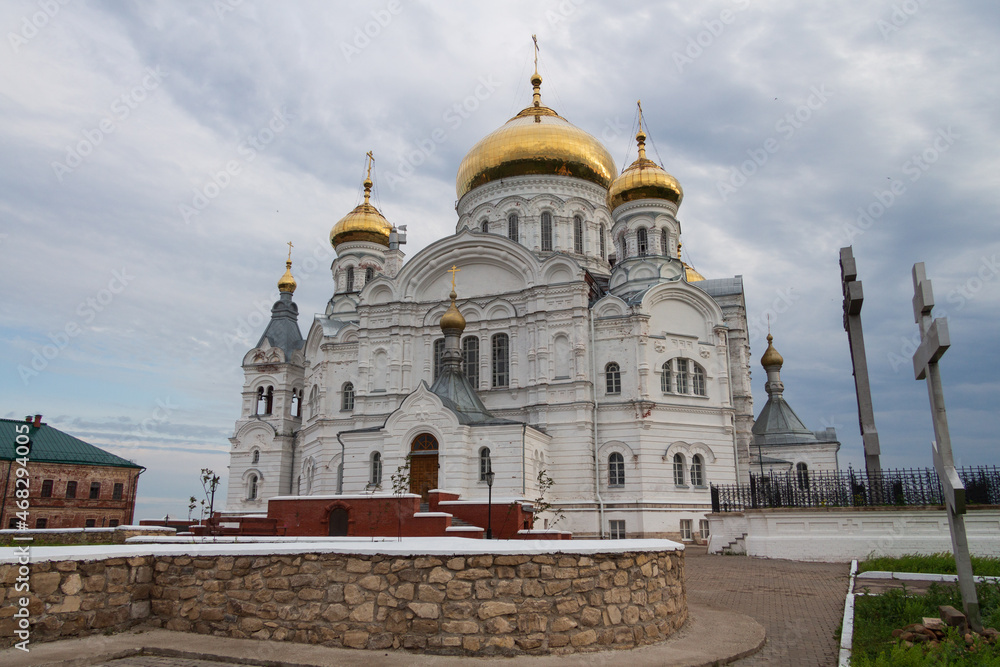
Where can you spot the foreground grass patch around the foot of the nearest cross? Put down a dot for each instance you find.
(876, 616)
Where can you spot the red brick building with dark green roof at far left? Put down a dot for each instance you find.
(68, 482)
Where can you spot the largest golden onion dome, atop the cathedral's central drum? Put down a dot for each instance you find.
(536, 141)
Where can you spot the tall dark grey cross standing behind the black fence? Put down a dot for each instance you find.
(853, 299)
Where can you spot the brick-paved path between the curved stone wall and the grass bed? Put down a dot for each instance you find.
(800, 604)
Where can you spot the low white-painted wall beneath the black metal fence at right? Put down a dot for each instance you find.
(843, 534)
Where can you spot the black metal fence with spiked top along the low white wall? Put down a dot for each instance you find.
(850, 488)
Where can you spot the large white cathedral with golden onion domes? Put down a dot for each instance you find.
(580, 349)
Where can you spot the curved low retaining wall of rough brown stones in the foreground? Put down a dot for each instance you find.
(469, 605)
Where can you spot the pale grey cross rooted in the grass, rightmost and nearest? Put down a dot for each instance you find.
(934, 343)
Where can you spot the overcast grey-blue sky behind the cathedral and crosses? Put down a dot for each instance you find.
(155, 158)
